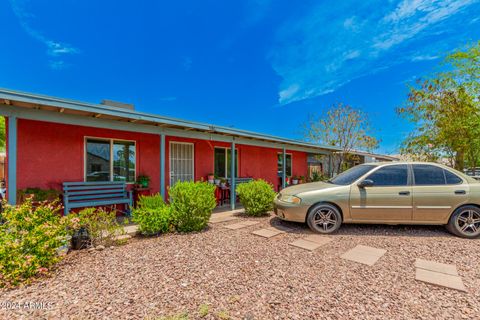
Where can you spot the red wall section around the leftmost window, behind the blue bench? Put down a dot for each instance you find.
(51, 153)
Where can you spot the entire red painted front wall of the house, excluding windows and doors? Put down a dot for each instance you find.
(51, 153)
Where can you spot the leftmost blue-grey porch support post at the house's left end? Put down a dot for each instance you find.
(12, 160)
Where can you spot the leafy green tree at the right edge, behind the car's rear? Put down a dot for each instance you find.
(446, 112)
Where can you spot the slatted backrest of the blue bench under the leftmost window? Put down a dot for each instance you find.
(91, 191)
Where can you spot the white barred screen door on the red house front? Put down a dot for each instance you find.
(181, 162)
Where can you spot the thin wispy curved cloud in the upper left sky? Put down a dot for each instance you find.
(54, 48)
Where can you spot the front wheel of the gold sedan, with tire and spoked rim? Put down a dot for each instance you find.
(324, 218)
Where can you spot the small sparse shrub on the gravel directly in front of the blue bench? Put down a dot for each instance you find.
(101, 225)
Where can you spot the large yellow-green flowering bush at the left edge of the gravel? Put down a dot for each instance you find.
(29, 240)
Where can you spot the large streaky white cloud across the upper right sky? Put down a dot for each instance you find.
(328, 46)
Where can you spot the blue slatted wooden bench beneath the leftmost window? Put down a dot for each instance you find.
(95, 194)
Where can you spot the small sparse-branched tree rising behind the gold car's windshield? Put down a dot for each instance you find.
(344, 127)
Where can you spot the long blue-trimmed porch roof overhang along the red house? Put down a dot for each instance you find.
(51, 109)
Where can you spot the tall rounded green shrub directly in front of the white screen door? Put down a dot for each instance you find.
(192, 204)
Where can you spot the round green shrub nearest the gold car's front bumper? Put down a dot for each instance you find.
(256, 197)
